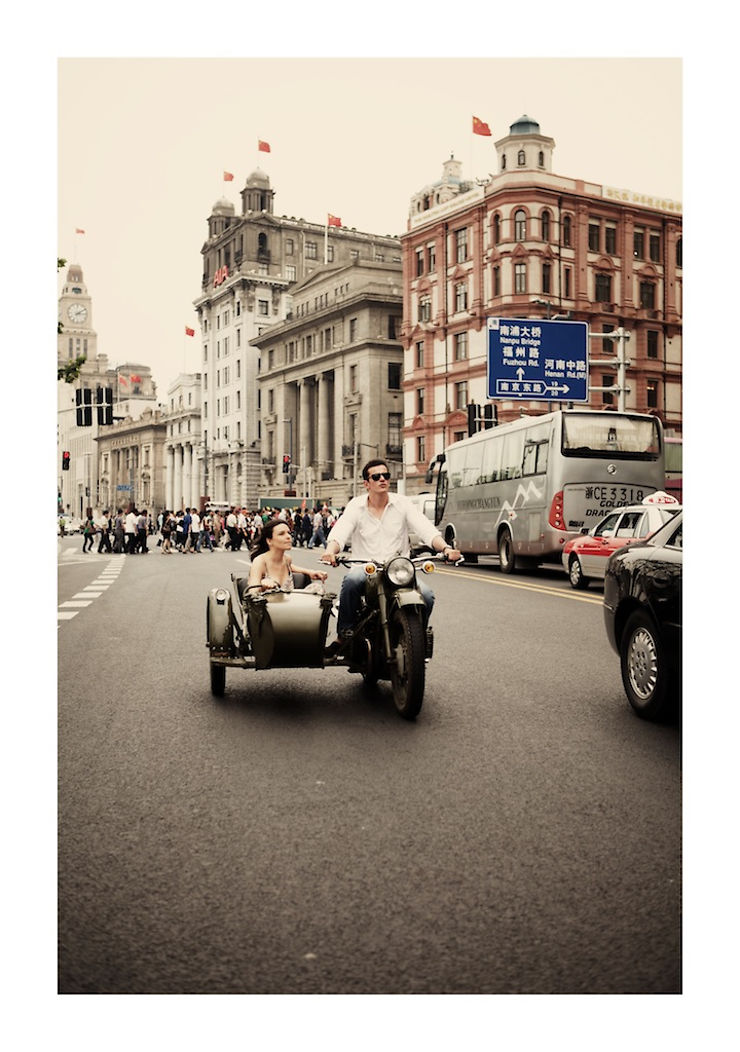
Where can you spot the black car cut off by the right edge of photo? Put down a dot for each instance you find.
(643, 615)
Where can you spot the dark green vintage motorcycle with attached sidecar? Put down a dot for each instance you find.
(254, 630)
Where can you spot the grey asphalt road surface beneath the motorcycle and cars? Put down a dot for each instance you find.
(524, 836)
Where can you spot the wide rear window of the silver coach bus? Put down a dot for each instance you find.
(611, 437)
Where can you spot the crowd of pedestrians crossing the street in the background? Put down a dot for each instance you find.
(189, 532)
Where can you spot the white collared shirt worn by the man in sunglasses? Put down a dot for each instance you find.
(381, 538)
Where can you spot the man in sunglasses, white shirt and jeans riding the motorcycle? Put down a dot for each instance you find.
(377, 524)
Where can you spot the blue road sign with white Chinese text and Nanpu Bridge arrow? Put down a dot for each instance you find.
(538, 361)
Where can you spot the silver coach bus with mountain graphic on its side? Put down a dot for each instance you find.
(522, 491)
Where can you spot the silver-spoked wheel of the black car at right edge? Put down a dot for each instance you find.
(647, 673)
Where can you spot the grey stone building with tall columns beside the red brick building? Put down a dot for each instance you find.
(330, 385)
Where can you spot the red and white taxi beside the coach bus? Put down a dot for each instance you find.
(585, 558)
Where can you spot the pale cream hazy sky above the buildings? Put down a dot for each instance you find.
(144, 144)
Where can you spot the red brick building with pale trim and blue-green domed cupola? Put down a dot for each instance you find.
(528, 244)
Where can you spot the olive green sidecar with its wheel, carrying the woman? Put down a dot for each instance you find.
(249, 629)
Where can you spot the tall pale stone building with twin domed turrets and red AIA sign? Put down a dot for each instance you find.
(252, 260)
